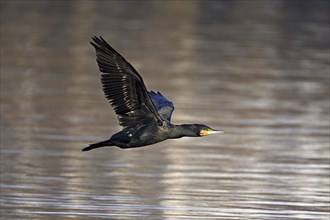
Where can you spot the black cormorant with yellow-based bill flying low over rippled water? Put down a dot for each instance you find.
(145, 116)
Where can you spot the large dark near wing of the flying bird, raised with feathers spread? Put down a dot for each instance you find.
(124, 87)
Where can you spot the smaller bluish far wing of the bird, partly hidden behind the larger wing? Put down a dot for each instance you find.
(164, 107)
